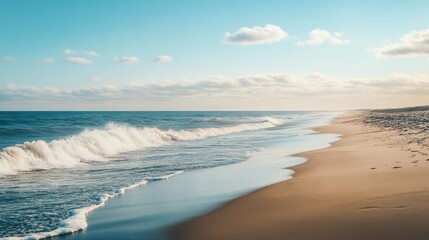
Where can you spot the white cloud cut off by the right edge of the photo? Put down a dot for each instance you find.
(413, 44)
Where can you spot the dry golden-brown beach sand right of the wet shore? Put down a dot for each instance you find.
(372, 184)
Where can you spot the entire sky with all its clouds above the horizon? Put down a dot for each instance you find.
(213, 55)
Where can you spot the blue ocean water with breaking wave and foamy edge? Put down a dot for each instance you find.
(57, 167)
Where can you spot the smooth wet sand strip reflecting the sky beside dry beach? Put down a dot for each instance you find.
(149, 211)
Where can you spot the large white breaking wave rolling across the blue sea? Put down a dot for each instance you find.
(105, 143)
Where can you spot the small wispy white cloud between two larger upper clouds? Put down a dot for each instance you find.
(321, 36)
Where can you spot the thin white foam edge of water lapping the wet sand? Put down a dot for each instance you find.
(78, 222)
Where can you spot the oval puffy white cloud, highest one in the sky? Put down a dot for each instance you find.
(256, 35)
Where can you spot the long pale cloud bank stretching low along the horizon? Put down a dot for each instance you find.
(232, 91)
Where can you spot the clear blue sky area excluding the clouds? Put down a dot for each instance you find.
(192, 34)
